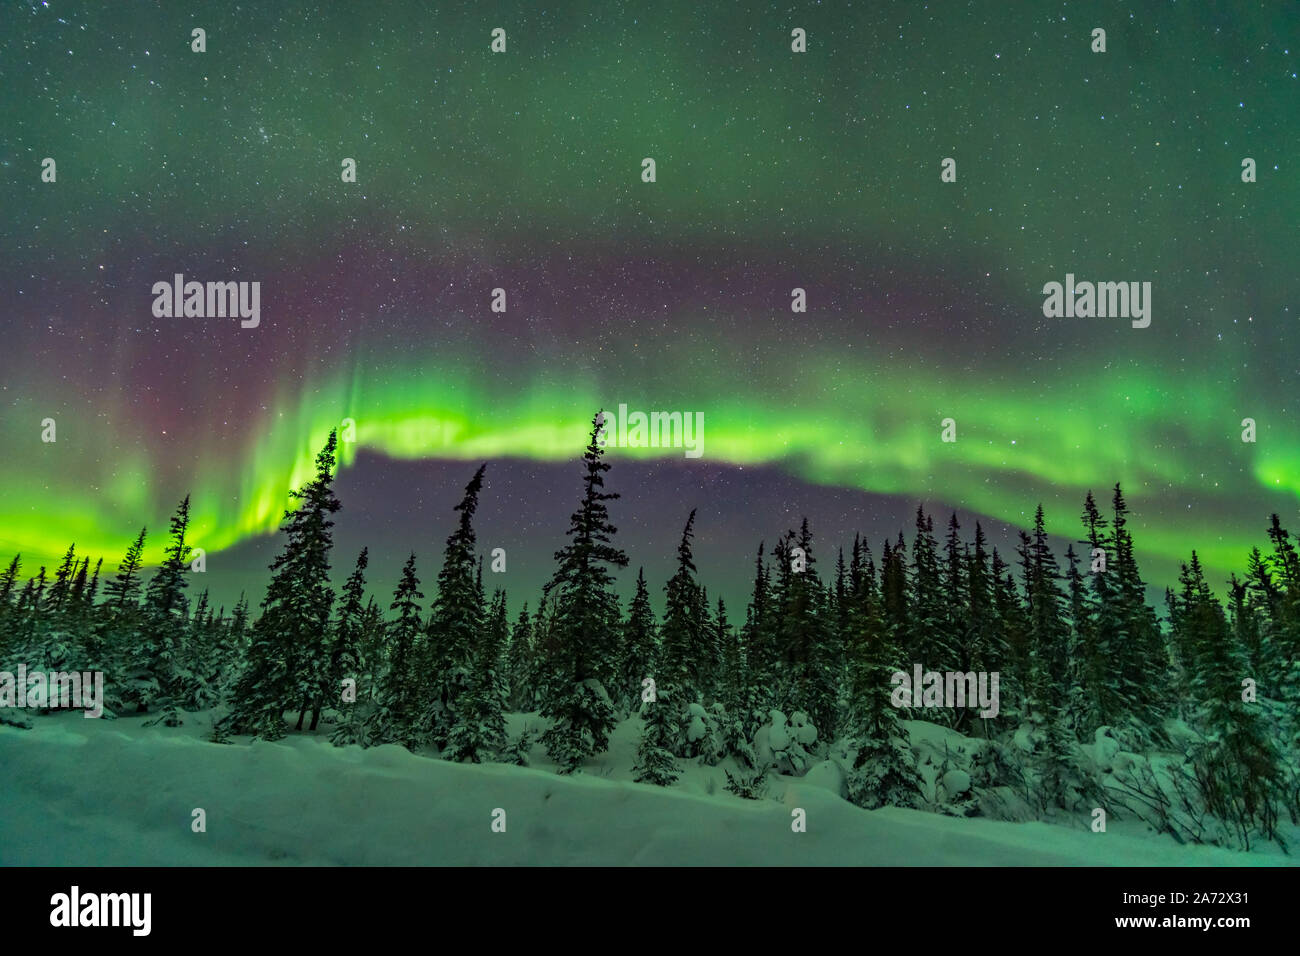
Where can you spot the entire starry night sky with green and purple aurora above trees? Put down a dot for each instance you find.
(523, 171)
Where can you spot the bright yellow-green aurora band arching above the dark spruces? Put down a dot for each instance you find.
(890, 443)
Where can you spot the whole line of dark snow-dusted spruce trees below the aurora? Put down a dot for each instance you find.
(1080, 651)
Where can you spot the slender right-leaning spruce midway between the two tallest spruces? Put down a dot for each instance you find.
(456, 624)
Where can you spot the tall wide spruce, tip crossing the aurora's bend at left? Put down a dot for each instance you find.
(288, 656)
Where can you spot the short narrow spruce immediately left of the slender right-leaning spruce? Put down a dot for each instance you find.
(395, 721)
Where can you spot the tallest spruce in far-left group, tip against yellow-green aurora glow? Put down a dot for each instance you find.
(157, 674)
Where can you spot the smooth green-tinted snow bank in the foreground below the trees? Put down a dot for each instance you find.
(84, 793)
